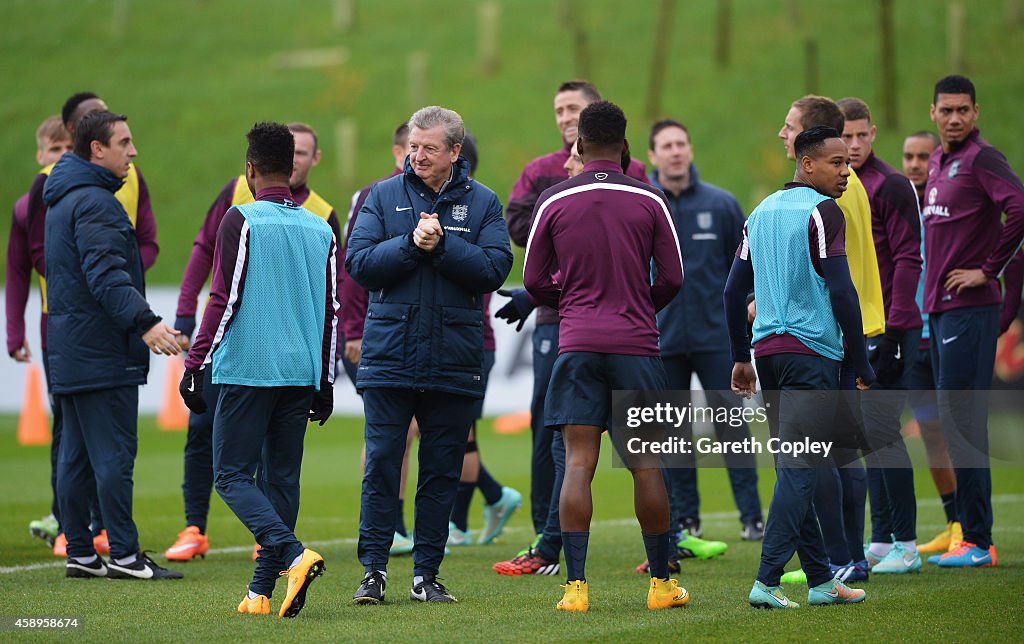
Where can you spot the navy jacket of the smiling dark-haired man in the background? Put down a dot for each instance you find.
(710, 225)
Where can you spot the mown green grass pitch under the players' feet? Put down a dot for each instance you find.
(950, 606)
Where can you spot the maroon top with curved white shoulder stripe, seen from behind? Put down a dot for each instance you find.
(604, 230)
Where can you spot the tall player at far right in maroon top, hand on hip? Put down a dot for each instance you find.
(970, 186)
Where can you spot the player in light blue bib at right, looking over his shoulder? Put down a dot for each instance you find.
(793, 255)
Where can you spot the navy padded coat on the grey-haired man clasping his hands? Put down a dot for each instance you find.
(424, 326)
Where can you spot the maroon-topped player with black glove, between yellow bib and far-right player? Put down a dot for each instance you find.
(897, 229)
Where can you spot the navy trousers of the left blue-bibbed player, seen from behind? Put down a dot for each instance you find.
(263, 428)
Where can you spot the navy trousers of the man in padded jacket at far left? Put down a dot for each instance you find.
(99, 444)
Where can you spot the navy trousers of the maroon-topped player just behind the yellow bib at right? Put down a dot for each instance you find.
(890, 474)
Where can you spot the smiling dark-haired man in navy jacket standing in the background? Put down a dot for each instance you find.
(694, 337)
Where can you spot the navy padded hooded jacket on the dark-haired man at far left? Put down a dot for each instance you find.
(96, 288)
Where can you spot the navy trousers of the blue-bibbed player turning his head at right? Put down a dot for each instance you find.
(800, 395)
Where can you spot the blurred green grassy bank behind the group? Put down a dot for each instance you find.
(194, 75)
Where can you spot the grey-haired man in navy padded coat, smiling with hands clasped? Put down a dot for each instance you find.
(429, 244)
